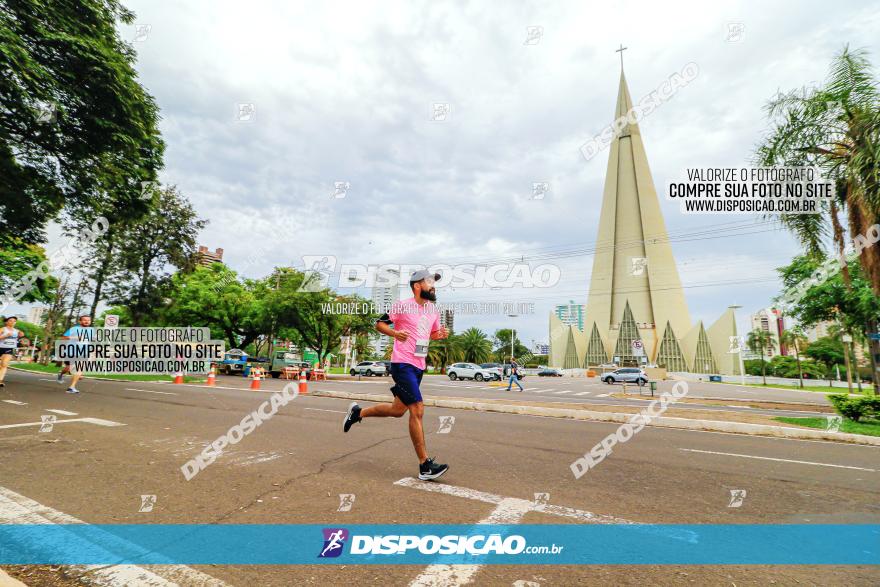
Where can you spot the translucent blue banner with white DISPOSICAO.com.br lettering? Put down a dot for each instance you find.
(522, 544)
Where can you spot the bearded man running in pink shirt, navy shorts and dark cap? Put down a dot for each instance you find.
(416, 321)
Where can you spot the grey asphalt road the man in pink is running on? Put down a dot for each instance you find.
(293, 468)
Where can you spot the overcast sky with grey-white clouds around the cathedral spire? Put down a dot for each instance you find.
(344, 91)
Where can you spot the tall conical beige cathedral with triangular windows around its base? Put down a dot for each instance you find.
(635, 291)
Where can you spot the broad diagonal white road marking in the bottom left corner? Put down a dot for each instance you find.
(18, 509)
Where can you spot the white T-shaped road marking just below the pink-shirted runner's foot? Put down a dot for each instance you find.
(508, 510)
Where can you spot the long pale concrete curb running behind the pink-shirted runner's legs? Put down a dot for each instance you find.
(660, 422)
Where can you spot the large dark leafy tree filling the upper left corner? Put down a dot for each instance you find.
(71, 110)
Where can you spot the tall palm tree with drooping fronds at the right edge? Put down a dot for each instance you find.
(835, 127)
